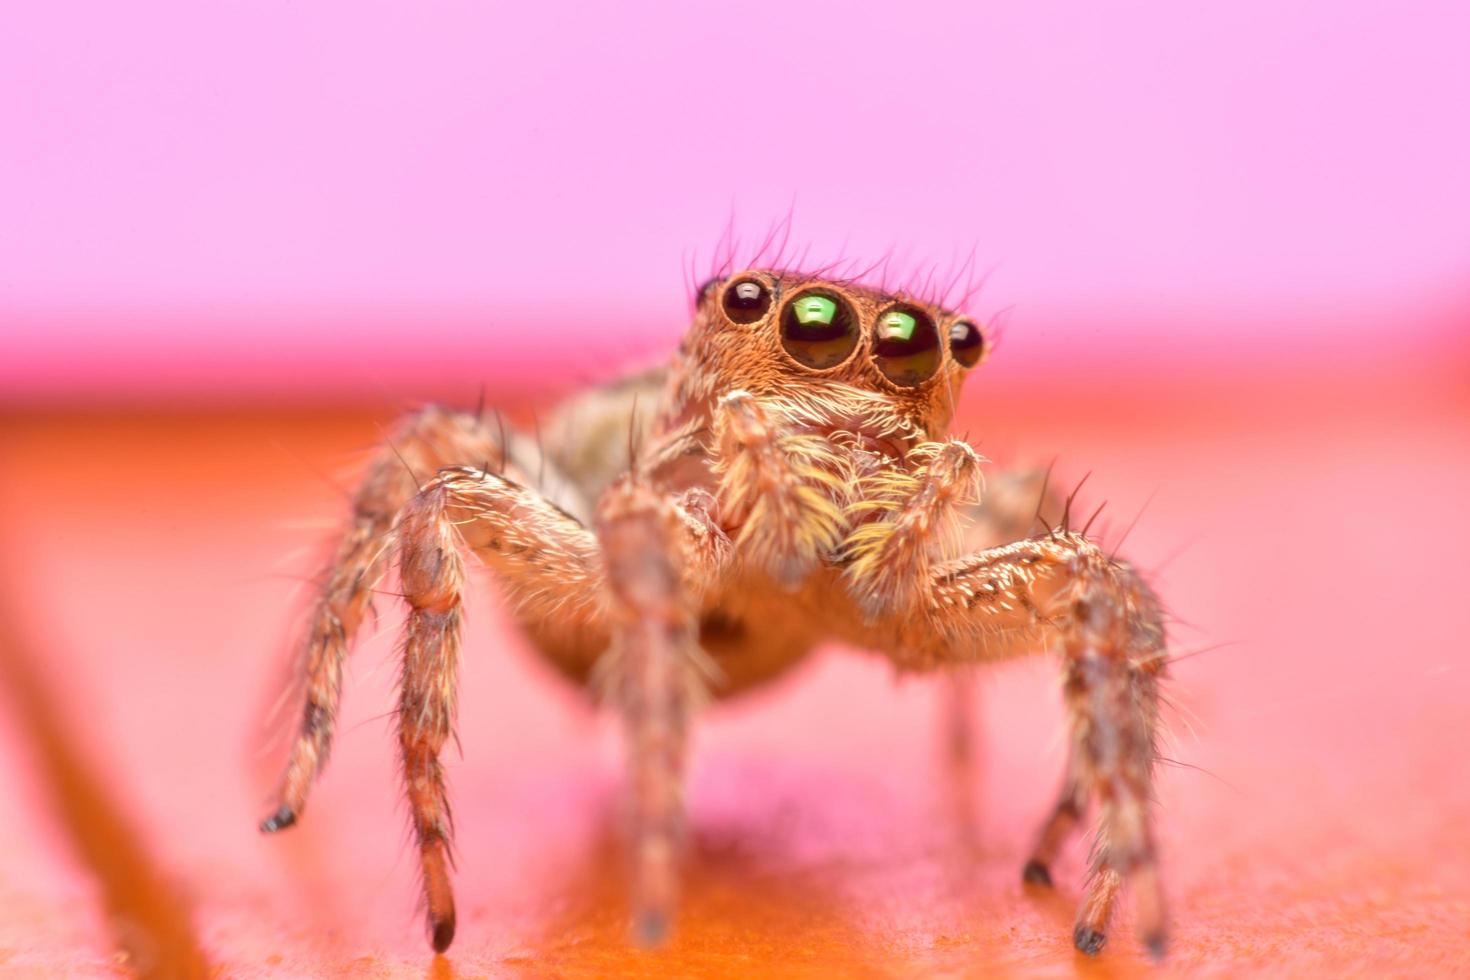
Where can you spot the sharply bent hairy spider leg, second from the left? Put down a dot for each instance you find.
(548, 563)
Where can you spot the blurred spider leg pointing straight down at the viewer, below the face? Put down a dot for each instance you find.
(661, 555)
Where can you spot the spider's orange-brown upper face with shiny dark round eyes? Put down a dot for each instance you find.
(811, 339)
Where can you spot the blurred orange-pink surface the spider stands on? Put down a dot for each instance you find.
(1316, 822)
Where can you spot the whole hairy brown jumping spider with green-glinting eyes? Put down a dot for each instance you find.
(793, 483)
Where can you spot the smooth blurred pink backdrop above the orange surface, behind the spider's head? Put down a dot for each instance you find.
(361, 199)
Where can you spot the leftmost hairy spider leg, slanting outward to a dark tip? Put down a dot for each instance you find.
(421, 446)
